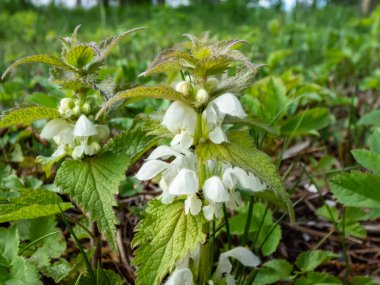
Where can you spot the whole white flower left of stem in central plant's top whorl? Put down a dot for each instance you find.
(181, 120)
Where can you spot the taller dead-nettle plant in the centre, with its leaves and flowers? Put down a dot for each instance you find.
(204, 170)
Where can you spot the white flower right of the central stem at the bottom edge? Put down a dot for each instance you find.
(224, 268)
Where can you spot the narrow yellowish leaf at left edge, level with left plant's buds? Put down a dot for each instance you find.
(27, 115)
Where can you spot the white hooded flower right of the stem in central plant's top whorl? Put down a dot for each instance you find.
(216, 110)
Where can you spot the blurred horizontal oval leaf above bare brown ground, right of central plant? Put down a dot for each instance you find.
(306, 122)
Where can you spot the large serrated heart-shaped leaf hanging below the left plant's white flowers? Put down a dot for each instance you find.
(92, 183)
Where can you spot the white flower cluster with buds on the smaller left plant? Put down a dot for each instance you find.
(76, 139)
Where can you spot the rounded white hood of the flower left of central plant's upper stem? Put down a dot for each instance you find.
(179, 117)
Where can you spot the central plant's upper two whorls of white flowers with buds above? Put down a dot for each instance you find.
(178, 178)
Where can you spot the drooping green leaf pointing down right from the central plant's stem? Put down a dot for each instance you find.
(241, 152)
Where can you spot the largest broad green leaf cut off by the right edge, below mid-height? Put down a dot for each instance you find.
(357, 189)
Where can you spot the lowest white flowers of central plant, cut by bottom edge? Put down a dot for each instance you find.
(184, 276)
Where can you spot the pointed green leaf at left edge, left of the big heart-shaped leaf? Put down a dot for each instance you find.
(31, 204)
